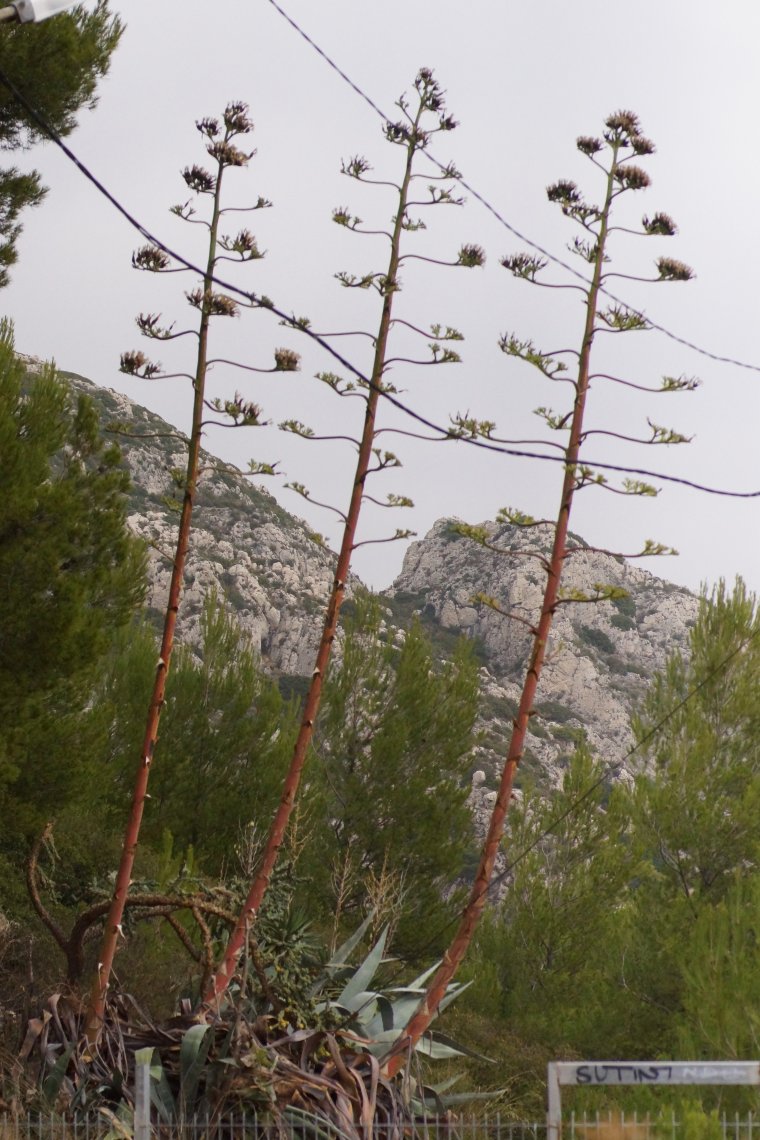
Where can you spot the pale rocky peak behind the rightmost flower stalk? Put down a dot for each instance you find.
(601, 655)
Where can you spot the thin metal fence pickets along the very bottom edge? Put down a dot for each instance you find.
(109, 1126)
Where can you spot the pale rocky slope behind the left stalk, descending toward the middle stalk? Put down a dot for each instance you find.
(268, 566)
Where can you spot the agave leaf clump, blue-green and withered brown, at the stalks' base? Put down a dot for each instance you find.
(243, 1071)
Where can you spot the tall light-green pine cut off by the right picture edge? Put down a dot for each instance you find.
(696, 812)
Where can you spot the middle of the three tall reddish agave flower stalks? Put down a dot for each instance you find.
(412, 137)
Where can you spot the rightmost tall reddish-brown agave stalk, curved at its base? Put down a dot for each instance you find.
(623, 133)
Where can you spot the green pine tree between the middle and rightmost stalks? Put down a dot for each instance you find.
(394, 743)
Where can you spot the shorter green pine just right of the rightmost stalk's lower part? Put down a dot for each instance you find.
(555, 940)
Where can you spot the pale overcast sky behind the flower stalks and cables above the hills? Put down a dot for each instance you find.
(524, 82)
